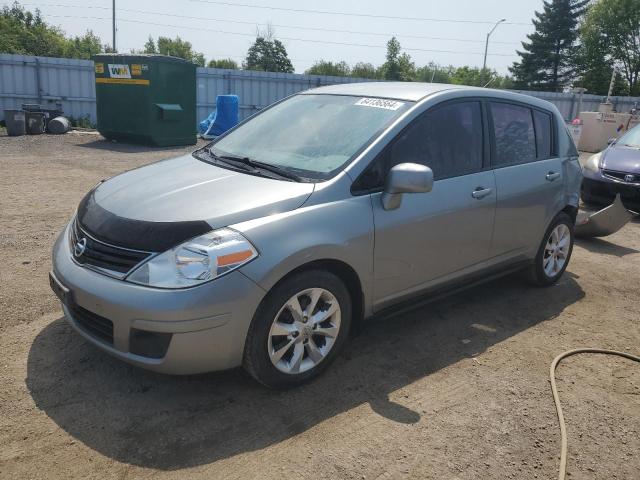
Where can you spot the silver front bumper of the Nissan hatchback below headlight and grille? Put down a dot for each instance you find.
(206, 325)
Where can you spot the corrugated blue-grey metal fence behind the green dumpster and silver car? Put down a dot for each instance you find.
(71, 83)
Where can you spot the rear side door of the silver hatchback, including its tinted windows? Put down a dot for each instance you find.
(528, 176)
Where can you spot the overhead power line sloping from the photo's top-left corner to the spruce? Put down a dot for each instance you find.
(294, 27)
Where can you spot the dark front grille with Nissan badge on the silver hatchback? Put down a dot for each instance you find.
(116, 260)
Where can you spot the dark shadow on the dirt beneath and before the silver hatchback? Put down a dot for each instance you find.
(164, 422)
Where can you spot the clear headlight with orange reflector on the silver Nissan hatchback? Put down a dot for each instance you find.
(196, 261)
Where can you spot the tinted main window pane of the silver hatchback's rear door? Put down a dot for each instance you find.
(514, 134)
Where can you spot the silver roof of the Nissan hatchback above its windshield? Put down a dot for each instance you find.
(415, 91)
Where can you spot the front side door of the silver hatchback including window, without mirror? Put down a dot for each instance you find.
(438, 236)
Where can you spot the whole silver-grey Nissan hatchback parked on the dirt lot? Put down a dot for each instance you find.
(334, 205)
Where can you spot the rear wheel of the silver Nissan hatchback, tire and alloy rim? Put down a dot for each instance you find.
(554, 253)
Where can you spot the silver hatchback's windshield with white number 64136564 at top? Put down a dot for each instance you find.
(313, 136)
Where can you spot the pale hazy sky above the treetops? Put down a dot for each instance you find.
(446, 32)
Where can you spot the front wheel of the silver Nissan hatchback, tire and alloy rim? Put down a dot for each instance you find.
(298, 330)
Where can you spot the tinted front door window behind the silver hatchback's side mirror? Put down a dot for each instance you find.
(447, 139)
